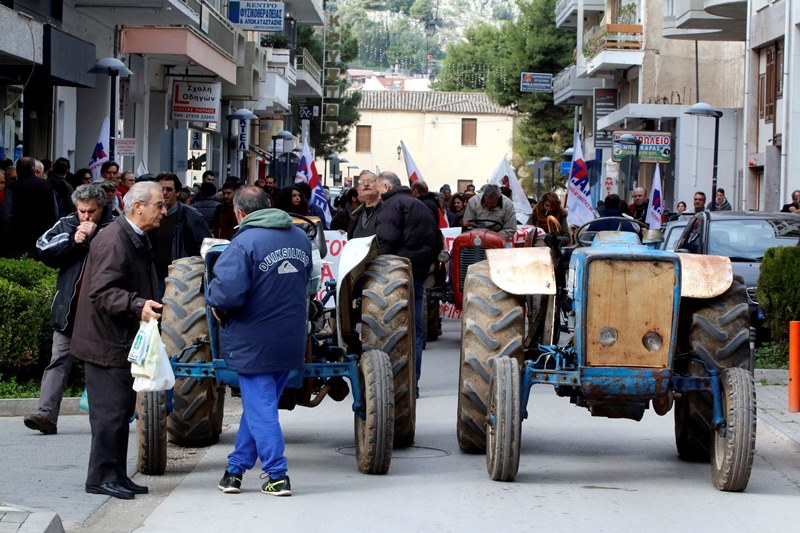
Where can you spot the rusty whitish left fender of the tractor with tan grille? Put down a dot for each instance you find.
(522, 270)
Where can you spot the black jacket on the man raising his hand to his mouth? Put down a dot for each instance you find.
(57, 249)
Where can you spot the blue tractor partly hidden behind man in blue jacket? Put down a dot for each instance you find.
(366, 341)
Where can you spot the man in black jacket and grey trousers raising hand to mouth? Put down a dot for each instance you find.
(65, 246)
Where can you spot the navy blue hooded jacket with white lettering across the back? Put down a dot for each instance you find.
(259, 285)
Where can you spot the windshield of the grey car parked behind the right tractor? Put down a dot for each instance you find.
(747, 240)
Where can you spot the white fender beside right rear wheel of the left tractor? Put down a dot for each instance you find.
(352, 263)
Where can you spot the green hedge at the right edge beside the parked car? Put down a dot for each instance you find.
(778, 292)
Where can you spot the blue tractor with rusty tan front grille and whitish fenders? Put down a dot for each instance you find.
(651, 328)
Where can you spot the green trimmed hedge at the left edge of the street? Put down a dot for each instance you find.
(27, 288)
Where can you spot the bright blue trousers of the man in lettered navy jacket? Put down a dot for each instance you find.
(260, 435)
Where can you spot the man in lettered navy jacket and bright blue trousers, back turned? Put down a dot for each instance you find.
(258, 294)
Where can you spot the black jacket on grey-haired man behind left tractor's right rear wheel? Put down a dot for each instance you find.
(406, 227)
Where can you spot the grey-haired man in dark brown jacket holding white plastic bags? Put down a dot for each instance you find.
(119, 290)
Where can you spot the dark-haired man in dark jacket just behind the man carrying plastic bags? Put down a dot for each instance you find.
(180, 233)
